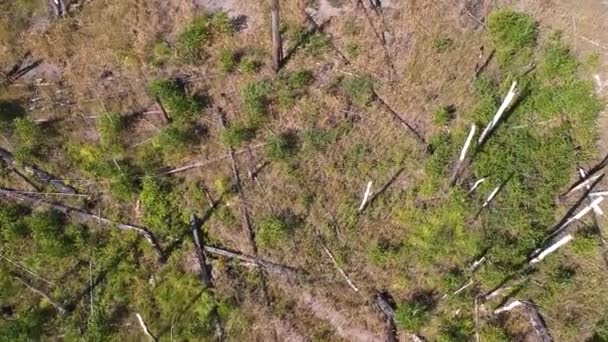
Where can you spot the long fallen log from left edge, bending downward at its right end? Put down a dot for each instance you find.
(84, 217)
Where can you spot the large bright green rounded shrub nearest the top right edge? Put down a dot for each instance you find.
(513, 33)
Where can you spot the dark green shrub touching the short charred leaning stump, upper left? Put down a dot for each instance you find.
(181, 107)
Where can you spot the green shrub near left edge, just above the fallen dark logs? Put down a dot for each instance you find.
(30, 138)
